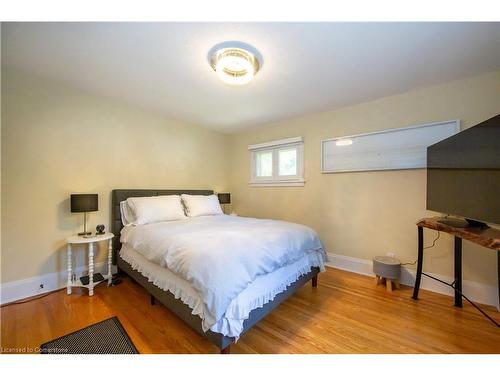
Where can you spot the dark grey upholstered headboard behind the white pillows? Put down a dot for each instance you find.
(119, 195)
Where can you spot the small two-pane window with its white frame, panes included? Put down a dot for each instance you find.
(278, 163)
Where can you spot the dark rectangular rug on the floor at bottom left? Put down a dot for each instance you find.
(106, 337)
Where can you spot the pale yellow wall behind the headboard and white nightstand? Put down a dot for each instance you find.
(57, 140)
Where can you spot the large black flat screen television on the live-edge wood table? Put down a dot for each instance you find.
(463, 175)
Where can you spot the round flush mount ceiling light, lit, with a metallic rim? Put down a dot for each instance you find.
(234, 62)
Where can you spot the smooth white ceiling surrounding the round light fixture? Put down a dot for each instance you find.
(307, 67)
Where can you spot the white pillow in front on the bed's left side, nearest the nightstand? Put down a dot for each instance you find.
(154, 209)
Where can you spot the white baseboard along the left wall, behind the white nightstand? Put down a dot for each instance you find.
(19, 289)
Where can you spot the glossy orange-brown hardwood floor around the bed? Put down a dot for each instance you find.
(346, 313)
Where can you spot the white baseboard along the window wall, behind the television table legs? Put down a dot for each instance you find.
(475, 291)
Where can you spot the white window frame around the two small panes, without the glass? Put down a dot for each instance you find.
(275, 147)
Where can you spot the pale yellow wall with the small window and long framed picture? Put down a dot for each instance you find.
(364, 214)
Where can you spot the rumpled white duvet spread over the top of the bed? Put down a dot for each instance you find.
(220, 255)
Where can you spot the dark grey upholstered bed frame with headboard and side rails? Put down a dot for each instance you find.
(166, 298)
